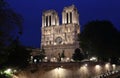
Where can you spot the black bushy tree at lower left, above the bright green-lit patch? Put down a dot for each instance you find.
(18, 55)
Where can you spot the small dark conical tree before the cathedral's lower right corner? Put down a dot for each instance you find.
(78, 55)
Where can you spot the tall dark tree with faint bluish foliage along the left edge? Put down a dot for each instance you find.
(11, 22)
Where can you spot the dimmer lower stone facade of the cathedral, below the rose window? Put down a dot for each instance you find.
(53, 51)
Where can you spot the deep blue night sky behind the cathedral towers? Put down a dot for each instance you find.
(89, 10)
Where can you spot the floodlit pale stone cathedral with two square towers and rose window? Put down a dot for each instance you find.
(60, 38)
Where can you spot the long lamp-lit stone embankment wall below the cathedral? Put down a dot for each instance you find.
(65, 70)
